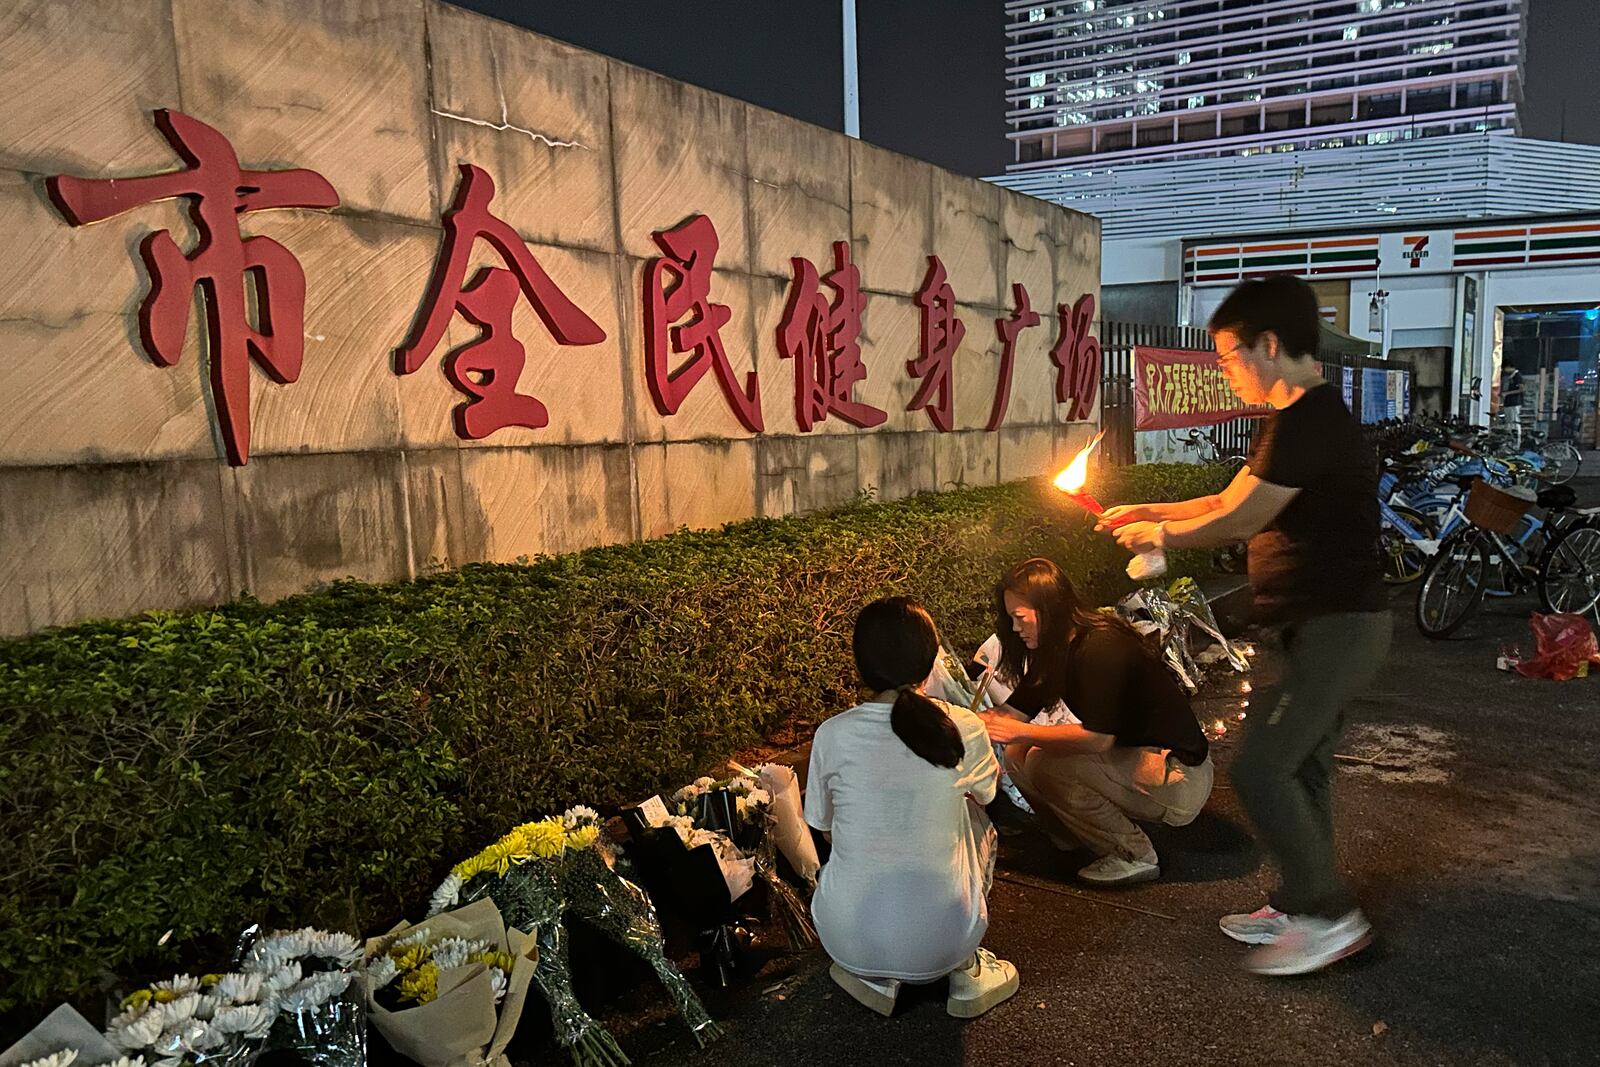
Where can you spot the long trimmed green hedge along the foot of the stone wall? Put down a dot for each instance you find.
(326, 757)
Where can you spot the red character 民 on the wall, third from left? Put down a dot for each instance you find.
(678, 289)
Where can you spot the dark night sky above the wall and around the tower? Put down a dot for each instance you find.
(934, 71)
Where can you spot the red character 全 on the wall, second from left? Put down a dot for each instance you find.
(487, 369)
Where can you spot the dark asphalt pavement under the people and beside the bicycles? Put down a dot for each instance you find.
(1468, 817)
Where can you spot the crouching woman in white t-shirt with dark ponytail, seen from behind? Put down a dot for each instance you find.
(897, 785)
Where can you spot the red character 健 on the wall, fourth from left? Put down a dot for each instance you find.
(825, 342)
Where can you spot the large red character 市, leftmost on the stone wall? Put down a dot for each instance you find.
(223, 263)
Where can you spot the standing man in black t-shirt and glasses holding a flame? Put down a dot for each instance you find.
(1308, 505)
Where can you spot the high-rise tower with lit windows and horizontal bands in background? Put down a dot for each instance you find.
(1113, 82)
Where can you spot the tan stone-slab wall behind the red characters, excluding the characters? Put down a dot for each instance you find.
(114, 490)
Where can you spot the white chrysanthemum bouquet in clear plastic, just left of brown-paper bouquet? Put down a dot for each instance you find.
(308, 978)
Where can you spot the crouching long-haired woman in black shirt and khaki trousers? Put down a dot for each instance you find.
(1137, 751)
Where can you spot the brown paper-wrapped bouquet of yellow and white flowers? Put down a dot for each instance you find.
(450, 991)
